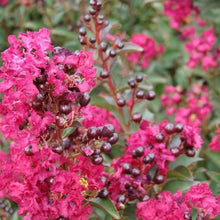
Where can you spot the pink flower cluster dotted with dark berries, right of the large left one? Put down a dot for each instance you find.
(146, 159)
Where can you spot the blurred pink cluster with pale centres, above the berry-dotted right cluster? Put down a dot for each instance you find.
(190, 108)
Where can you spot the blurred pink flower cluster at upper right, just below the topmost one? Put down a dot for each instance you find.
(200, 50)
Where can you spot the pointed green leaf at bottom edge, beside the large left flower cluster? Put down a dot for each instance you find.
(106, 205)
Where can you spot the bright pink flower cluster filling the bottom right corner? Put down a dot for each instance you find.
(179, 207)
